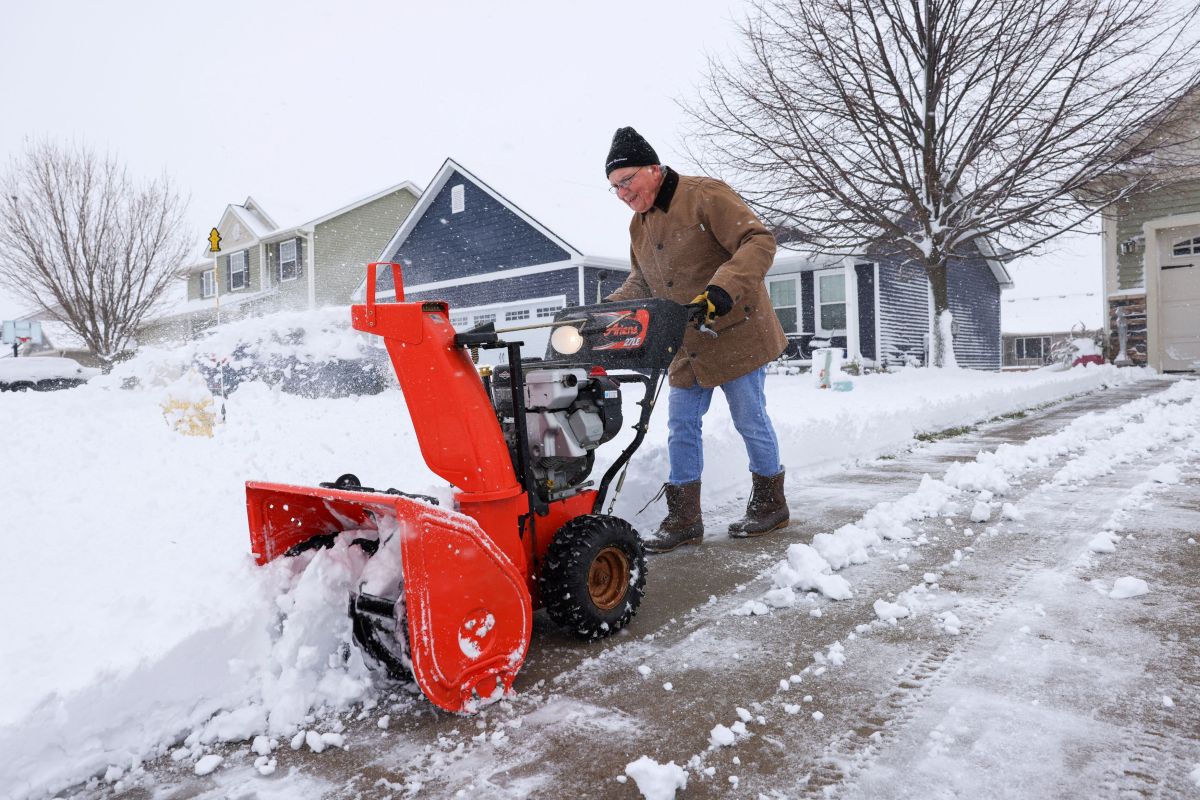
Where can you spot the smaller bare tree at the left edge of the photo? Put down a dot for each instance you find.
(81, 240)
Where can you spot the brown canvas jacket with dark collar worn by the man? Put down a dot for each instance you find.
(698, 233)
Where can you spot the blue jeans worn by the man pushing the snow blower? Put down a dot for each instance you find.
(748, 407)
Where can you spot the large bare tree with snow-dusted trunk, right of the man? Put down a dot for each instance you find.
(923, 128)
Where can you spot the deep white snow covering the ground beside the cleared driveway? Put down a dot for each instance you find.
(136, 623)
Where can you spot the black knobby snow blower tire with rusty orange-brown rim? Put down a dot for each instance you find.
(595, 576)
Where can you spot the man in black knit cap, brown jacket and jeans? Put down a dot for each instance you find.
(694, 240)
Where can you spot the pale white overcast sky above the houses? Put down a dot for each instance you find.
(310, 106)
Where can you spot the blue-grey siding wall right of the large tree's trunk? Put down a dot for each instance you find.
(975, 304)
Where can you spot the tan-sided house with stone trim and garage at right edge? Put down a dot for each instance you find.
(1153, 257)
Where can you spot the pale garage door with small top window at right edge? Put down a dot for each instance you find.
(1180, 305)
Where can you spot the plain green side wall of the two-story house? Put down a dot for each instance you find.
(346, 244)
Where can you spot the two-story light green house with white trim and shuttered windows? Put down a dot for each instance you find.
(263, 268)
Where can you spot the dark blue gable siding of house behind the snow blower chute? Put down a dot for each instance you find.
(484, 238)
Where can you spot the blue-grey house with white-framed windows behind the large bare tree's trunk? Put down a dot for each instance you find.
(880, 308)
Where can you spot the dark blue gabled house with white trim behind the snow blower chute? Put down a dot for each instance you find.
(469, 245)
